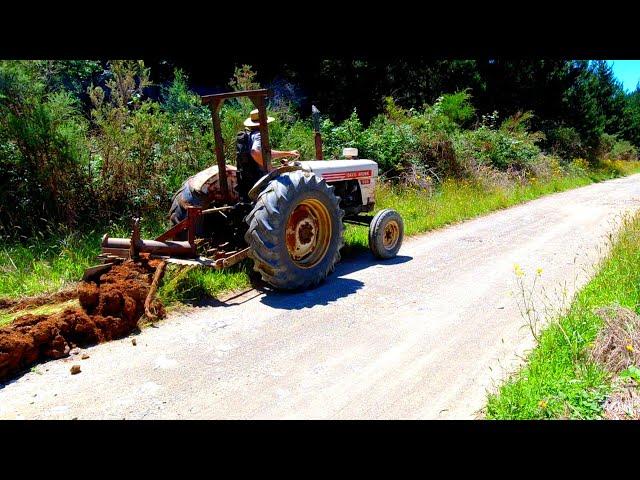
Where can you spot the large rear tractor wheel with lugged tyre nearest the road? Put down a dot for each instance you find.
(295, 231)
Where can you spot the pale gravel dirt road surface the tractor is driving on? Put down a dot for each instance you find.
(422, 336)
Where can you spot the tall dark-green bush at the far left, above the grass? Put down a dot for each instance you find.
(43, 154)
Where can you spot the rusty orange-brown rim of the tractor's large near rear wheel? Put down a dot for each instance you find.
(308, 233)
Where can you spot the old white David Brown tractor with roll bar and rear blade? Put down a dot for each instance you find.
(290, 221)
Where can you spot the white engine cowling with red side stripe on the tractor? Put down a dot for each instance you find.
(357, 174)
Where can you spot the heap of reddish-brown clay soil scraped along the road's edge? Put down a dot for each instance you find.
(110, 309)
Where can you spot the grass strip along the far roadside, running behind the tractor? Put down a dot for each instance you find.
(53, 261)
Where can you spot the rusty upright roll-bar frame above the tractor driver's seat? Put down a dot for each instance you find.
(215, 102)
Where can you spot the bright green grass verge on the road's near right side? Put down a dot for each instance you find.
(558, 380)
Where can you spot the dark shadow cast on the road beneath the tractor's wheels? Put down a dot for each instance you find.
(332, 289)
